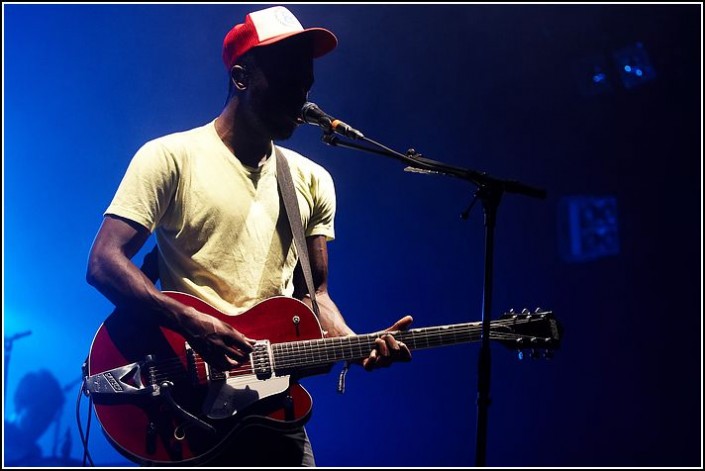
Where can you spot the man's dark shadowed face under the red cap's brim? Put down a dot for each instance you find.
(279, 86)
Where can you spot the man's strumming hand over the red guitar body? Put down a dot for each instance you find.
(220, 344)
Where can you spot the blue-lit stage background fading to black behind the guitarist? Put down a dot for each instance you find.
(493, 88)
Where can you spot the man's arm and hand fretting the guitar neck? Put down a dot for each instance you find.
(387, 348)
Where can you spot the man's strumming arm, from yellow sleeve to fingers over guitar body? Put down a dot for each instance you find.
(111, 271)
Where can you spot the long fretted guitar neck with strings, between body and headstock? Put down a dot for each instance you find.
(312, 353)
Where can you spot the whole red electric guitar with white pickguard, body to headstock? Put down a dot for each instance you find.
(159, 403)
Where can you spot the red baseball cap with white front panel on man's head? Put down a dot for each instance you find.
(269, 26)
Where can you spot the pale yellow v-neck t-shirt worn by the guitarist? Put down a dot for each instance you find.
(221, 228)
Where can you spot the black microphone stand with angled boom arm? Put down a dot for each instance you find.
(489, 192)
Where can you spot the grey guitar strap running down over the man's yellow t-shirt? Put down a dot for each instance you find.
(291, 205)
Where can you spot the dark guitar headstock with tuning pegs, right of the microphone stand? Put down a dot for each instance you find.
(536, 332)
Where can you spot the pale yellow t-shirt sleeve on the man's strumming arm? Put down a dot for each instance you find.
(148, 186)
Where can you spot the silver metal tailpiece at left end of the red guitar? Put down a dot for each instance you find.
(123, 380)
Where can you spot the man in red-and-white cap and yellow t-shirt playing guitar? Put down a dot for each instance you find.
(210, 195)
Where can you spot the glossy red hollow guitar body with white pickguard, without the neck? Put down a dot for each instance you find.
(140, 375)
